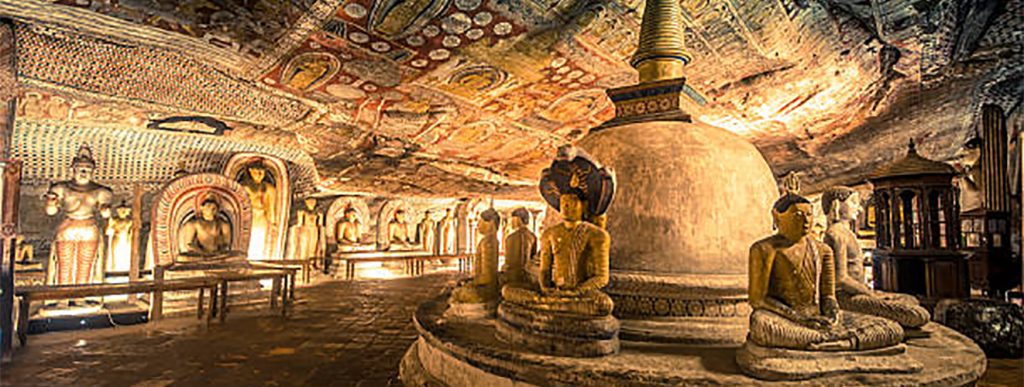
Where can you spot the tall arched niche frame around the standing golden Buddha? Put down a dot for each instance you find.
(237, 170)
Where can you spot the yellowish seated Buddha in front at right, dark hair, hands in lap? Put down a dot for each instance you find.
(797, 321)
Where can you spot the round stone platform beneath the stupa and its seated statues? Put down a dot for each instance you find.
(470, 354)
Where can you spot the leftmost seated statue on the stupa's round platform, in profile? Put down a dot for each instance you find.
(483, 288)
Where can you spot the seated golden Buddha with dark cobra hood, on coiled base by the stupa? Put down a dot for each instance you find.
(568, 314)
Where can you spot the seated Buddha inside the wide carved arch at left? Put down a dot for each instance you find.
(206, 236)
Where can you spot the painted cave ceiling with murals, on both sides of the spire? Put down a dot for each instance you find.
(444, 98)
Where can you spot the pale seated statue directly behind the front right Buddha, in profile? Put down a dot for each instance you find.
(842, 206)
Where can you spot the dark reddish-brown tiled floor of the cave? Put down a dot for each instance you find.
(340, 334)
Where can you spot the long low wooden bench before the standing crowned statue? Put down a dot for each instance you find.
(31, 294)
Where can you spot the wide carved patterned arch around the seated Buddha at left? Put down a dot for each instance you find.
(179, 202)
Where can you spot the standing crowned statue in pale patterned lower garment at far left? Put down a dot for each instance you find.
(76, 246)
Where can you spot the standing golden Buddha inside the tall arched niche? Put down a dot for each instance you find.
(263, 195)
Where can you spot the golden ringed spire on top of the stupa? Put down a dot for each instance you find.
(661, 55)
